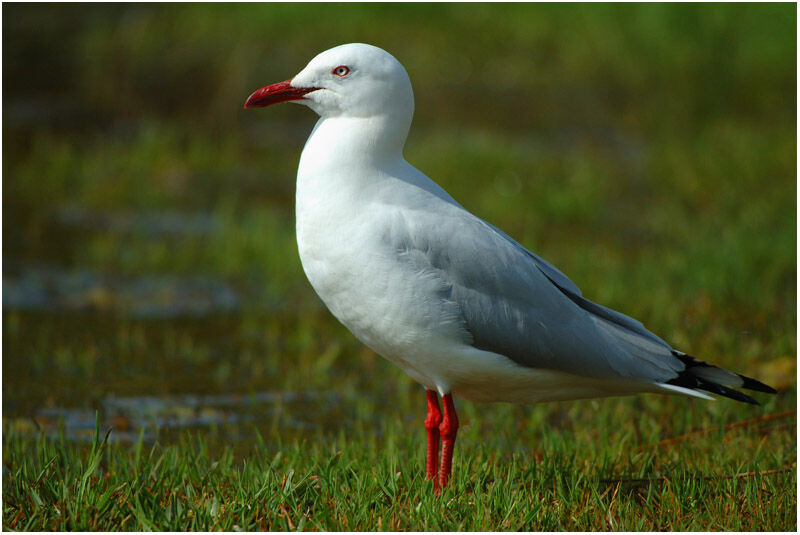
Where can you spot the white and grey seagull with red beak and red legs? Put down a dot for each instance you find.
(454, 301)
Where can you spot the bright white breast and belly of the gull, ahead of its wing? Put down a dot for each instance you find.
(389, 305)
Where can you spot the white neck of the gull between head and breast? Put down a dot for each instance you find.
(340, 143)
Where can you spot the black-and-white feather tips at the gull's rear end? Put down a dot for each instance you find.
(699, 375)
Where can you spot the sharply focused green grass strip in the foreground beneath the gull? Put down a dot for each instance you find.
(372, 478)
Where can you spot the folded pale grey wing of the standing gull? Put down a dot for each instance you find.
(516, 304)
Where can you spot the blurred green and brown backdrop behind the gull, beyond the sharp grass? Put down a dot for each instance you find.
(150, 270)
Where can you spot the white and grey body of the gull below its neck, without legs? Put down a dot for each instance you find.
(369, 247)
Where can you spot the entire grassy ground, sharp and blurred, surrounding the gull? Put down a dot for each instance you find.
(648, 151)
